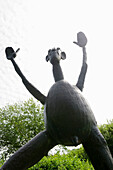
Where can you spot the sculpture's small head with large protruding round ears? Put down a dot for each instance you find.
(55, 55)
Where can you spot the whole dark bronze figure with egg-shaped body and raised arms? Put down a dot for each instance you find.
(69, 119)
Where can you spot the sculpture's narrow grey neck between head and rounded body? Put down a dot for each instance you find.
(57, 72)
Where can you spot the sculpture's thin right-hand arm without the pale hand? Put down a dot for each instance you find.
(81, 79)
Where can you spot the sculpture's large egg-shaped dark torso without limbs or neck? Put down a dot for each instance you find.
(68, 116)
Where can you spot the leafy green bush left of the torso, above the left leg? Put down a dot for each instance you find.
(18, 124)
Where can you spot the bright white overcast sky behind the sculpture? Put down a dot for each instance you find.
(35, 26)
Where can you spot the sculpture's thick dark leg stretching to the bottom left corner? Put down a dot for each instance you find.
(30, 153)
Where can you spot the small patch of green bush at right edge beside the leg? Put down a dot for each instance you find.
(107, 132)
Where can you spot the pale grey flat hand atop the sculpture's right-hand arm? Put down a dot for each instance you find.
(81, 39)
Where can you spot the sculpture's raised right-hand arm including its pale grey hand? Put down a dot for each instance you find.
(81, 42)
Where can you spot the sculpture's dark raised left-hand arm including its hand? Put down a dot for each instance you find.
(11, 54)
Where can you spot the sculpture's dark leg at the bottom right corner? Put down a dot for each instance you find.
(98, 151)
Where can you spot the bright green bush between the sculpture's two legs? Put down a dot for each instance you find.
(62, 162)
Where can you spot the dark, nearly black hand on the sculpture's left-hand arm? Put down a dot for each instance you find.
(10, 53)
